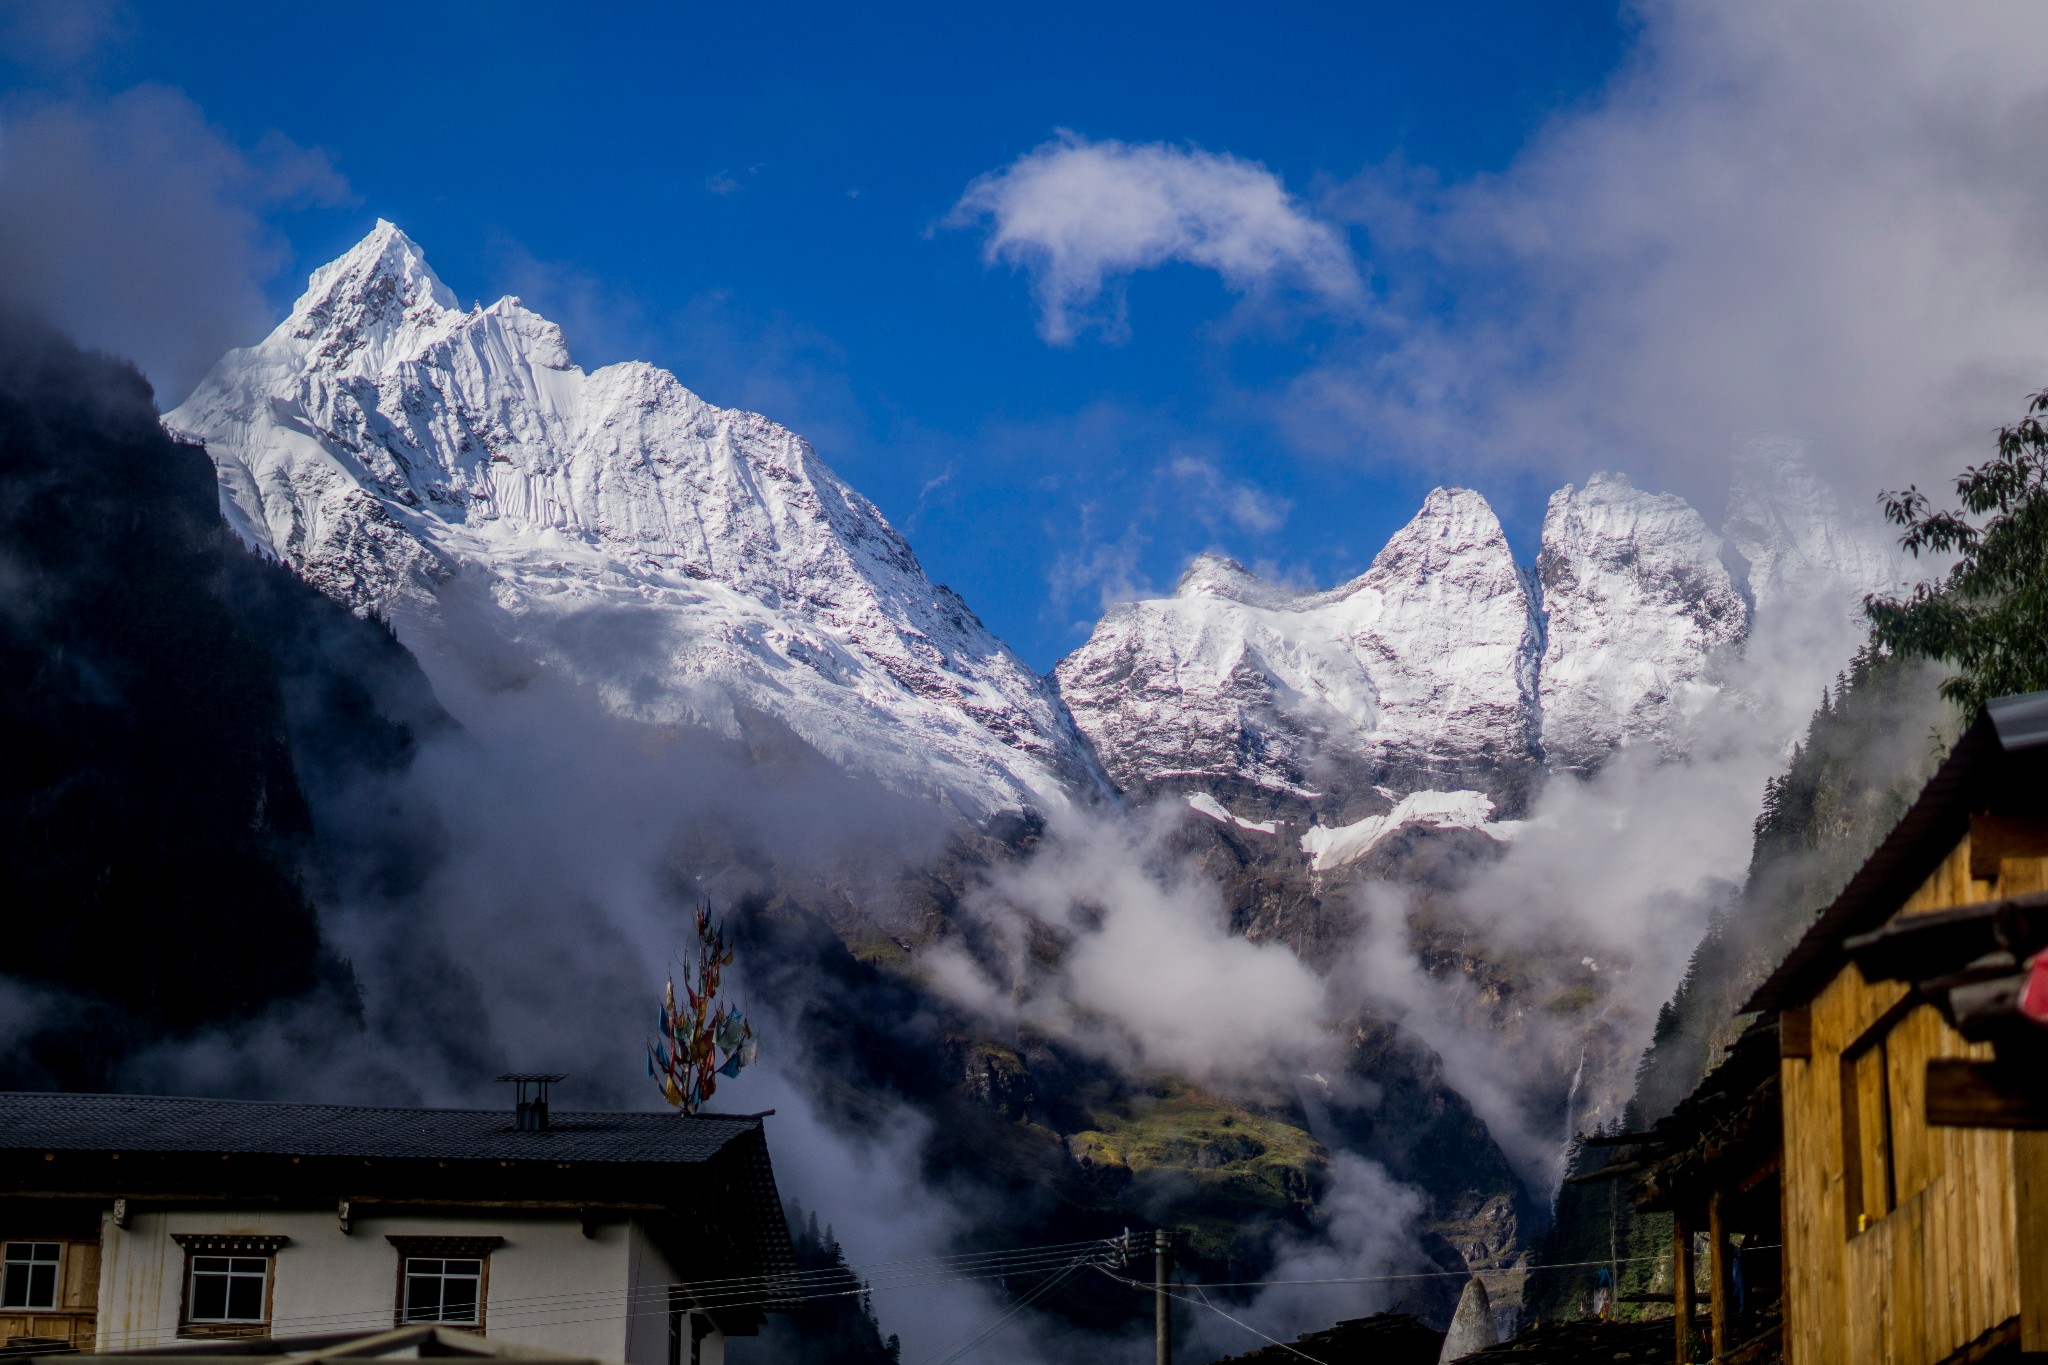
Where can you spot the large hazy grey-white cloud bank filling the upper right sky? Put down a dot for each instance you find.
(1818, 218)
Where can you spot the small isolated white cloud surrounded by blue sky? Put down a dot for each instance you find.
(1080, 216)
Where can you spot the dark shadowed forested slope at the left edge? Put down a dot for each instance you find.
(165, 703)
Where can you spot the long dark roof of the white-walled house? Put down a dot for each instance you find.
(52, 1122)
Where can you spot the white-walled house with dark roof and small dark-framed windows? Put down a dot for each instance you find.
(134, 1221)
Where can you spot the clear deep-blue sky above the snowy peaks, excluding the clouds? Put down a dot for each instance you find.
(757, 200)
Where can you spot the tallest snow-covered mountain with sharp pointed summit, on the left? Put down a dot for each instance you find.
(695, 566)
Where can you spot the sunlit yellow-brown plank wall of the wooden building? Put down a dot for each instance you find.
(1945, 1266)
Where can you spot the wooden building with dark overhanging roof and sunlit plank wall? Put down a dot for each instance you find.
(1912, 1219)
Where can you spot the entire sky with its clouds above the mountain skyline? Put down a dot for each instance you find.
(1529, 240)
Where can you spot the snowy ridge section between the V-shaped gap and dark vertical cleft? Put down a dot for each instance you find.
(1416, 670)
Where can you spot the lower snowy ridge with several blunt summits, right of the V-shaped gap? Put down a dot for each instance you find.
(1445, 668)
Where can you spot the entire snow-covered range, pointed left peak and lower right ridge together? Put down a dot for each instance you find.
(703, 566)
